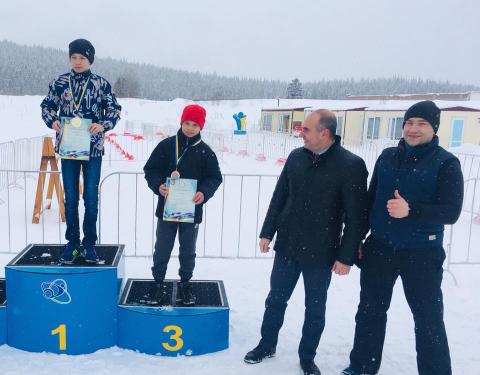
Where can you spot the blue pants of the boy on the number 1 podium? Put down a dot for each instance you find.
(91, 179)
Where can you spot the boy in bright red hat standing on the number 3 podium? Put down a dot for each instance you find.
(184, 155)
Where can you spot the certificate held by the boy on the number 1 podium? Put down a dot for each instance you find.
(75, 138)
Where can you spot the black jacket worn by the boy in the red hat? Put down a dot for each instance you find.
(199, 162)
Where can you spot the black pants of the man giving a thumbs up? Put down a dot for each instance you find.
(421, 273)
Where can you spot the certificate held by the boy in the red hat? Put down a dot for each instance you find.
(179, 204)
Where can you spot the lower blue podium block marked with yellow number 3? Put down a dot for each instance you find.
(173, 330)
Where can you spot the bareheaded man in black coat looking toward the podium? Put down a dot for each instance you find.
(321, 188)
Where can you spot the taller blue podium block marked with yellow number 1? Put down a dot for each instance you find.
(58, 308)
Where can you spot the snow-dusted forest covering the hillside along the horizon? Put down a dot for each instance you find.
(26, 70)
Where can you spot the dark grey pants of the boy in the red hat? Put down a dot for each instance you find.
(187, 237)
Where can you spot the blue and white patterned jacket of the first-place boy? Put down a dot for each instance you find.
(98, 104)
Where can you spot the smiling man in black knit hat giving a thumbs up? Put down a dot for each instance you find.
(416, 189)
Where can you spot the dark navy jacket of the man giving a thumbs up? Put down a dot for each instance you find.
(431, 181)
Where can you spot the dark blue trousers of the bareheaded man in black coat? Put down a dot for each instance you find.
(285, 274)
